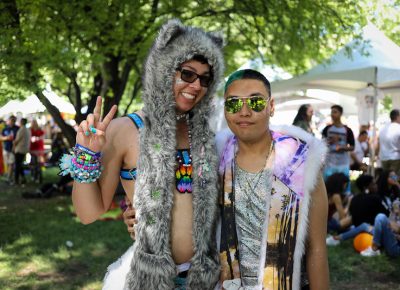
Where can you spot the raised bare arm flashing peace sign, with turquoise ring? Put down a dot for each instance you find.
(99, 135)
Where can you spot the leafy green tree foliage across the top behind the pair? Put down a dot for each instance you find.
(87, 48)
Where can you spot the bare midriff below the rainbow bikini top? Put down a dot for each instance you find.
(182, 228)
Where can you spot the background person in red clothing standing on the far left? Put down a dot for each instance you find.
(37, 151)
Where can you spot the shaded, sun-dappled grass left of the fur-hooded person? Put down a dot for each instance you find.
(34, 250)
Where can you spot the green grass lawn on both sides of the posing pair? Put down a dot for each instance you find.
(34, 253)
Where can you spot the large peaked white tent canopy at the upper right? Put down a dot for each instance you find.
(377, 61)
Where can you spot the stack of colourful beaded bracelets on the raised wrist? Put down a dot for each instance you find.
(83, 164)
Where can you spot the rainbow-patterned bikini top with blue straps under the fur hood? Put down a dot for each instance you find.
(183, 173)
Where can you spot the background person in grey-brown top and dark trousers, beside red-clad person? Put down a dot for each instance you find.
(21, 145)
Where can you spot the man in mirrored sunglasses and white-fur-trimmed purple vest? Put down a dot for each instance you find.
(273, 198)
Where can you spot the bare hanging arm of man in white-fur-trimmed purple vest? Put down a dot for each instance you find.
(317, 260)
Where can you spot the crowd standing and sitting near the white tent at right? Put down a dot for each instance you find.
(373, 205)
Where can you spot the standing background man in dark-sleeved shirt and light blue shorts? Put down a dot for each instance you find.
(340, 139)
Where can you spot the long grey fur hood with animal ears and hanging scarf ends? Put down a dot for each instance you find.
(152, 266)
